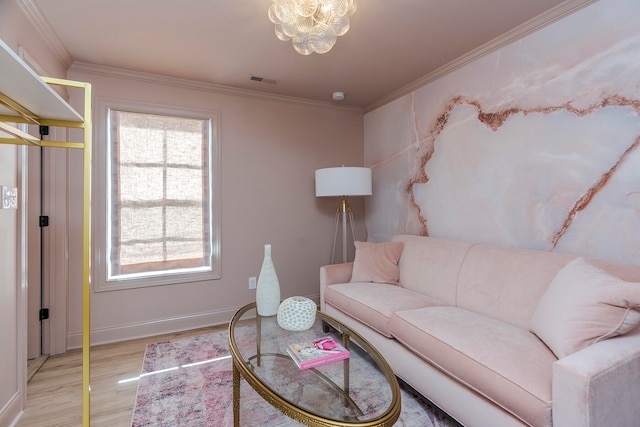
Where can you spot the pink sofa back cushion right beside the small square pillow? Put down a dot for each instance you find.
(431, 265)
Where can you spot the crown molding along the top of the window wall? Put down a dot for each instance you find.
(200, 86)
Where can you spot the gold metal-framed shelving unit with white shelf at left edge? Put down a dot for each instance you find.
(27, 98)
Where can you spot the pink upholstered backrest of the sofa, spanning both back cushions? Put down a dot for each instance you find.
(499, 282)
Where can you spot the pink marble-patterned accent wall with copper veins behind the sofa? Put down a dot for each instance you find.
(536, 145)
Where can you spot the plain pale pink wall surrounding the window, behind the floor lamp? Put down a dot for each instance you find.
(269, 150)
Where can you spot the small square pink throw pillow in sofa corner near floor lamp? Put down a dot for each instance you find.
(377, 262)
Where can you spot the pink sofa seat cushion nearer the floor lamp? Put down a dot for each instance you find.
(374, 303)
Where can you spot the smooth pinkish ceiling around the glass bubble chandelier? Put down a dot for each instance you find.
(392, 44)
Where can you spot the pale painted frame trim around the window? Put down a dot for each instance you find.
(101, 227)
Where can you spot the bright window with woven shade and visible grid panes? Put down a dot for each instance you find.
(160, 215)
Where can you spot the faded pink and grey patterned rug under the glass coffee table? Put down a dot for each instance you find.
(188, 383)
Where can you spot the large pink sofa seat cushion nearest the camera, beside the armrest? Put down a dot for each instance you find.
(508, 365)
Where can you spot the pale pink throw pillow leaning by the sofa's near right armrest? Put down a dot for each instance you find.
(584, 305)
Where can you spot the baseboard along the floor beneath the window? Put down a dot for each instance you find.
(151, 328)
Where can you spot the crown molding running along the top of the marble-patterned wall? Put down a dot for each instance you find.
(552, 15)
